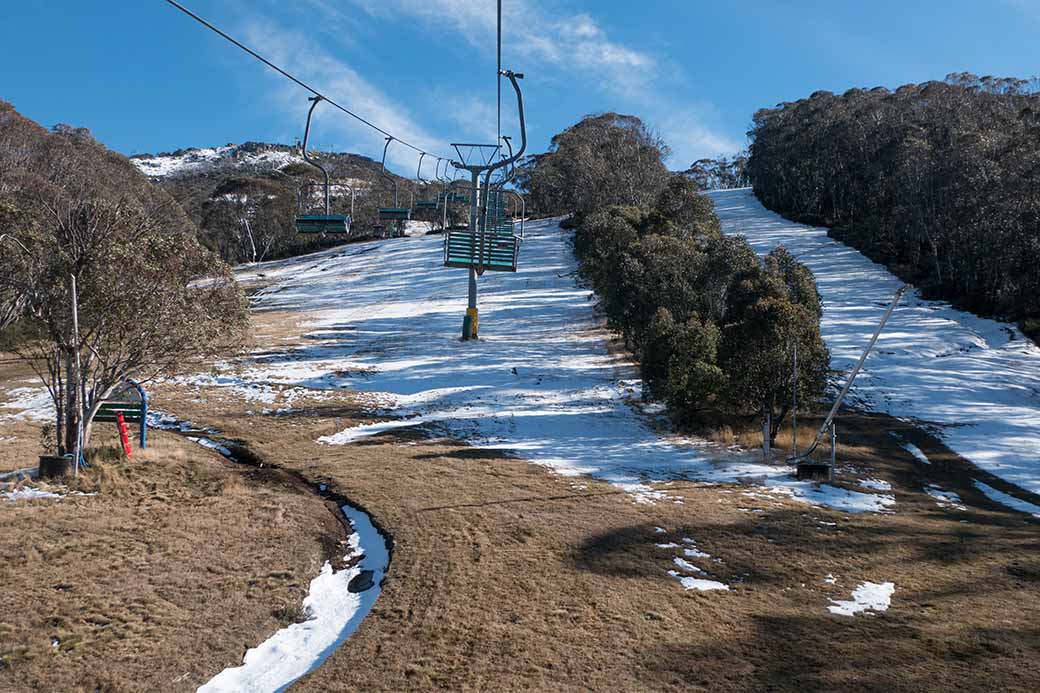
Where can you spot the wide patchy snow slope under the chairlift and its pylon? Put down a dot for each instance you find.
(385, 318)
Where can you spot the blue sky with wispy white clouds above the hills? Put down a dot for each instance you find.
(145, 79)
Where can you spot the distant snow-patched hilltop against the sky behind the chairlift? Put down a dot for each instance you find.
(195, 161)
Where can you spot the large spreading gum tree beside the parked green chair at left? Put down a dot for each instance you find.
(151, 299)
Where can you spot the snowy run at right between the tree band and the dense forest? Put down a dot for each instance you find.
(974, 382)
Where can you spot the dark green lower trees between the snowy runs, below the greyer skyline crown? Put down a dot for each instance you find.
(714, 327)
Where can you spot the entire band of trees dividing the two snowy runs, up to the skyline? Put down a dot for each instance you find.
(713, 326)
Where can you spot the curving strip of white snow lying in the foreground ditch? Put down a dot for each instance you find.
(334, 615)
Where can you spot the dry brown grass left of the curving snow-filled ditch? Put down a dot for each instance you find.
(166, 577)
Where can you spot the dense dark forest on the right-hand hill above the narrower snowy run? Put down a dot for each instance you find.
(940, 182)
